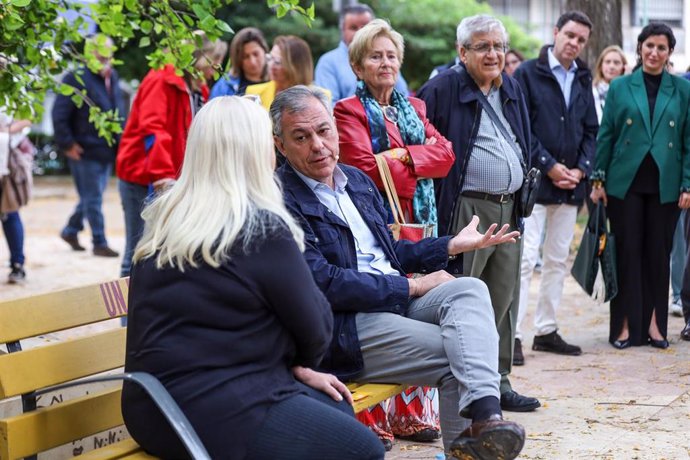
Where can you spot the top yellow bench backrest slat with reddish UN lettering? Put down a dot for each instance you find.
(56, 311)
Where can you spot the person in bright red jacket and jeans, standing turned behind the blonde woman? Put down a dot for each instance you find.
(152, 146)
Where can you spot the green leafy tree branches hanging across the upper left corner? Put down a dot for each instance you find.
(38, 44)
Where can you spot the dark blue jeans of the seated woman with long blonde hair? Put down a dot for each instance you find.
(313, 427)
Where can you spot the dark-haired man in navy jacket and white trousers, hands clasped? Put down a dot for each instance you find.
(558, 91)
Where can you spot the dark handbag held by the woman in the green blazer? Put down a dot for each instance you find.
(594, 267)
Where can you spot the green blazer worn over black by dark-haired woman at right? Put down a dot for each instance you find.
(626, 135)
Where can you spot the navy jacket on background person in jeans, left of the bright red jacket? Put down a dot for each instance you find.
(71, 123)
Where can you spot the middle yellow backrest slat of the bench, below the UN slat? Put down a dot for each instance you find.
(27, 370)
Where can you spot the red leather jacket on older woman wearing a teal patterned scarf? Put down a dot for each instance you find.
(428, 161)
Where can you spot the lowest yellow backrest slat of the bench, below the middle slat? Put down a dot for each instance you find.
(28, 433)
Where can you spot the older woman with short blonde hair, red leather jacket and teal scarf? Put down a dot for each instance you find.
(379, 120)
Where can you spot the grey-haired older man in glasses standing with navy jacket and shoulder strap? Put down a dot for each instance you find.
(491, 158)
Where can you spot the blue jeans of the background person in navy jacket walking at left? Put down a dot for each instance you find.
(90, 179)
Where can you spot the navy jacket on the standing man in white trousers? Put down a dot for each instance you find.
(560, 134)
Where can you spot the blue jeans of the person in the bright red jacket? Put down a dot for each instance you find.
(133, 197)
